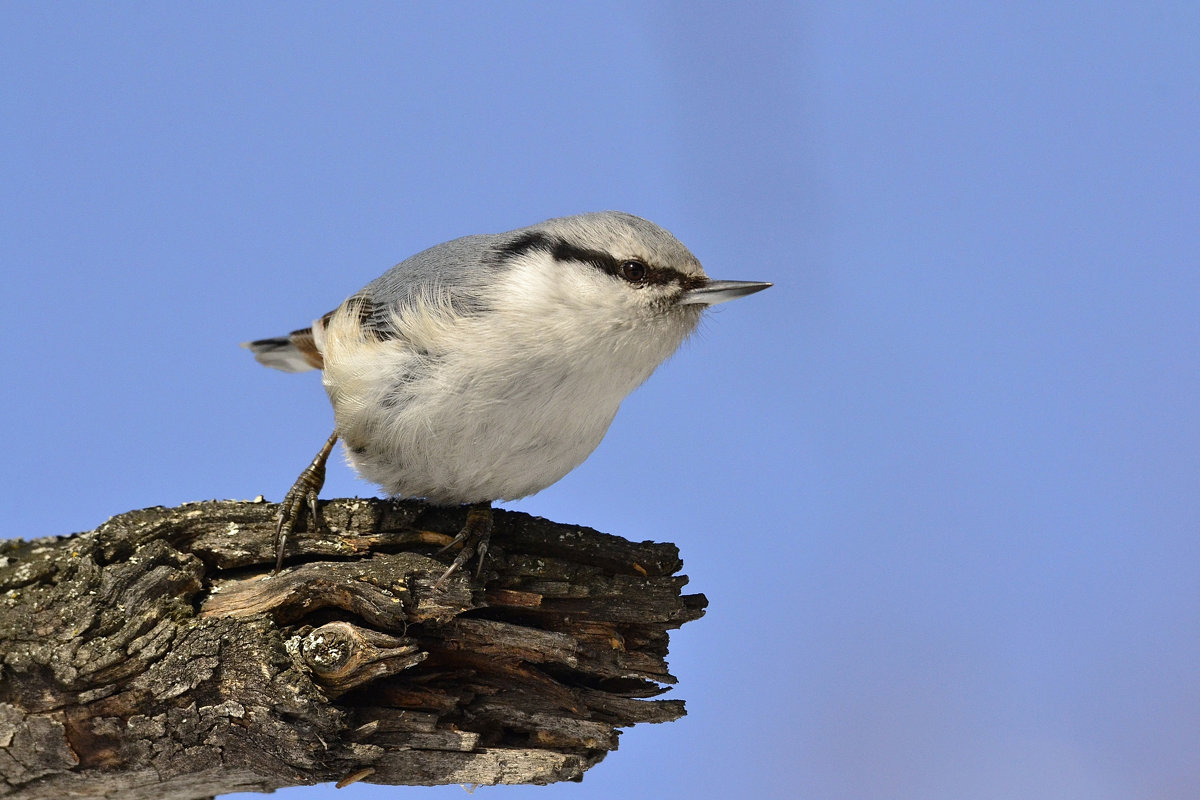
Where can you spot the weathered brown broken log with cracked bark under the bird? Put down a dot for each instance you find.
(158, 658)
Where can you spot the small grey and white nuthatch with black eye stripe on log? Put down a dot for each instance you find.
(488, 368)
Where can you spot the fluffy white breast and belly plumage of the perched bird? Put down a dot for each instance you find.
(494, 406)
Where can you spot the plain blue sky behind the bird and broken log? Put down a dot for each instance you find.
(941, 484)
